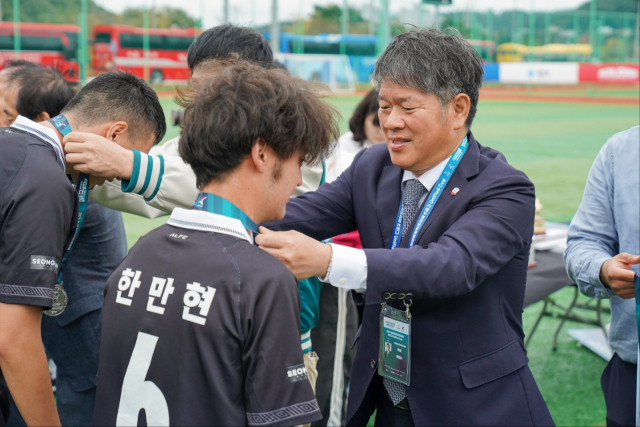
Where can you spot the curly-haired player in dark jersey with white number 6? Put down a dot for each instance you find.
(199, 327)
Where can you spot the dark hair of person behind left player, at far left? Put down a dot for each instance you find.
(43, 90)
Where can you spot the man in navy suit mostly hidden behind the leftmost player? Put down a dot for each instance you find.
(72, 339)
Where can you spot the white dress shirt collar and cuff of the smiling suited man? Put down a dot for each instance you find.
(349, 265)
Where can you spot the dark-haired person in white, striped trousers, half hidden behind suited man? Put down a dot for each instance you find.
(335, 331)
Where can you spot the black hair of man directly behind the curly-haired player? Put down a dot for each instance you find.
(221, 41)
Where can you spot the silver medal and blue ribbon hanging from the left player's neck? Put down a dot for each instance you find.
(60, 298)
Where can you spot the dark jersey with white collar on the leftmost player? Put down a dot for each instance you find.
(38, 213)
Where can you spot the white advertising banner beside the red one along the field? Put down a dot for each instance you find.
(543, 73)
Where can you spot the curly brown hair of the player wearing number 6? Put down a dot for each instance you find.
(246, 102)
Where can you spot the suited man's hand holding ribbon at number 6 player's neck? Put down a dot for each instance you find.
(304, 256)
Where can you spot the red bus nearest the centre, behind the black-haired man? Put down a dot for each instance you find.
(121, 47)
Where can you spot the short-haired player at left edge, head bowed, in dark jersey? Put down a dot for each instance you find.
(38, 218)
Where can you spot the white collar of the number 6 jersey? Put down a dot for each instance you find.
(207, 221)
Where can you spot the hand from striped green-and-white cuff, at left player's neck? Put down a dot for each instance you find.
(97, 156)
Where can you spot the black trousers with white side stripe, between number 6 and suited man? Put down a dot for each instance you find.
(332, 338)
